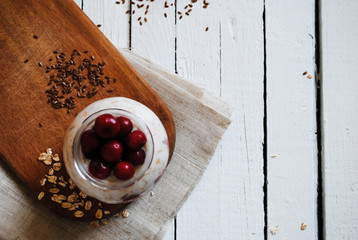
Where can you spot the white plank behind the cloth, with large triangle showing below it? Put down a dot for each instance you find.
(198, 60)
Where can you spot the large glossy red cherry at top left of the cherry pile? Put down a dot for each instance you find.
(106, 126)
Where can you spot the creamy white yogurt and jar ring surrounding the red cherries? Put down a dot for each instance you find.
(112, 190)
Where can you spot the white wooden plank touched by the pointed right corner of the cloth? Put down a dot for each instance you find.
(242, 179)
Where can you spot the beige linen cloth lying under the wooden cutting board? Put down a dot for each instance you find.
(200, 118)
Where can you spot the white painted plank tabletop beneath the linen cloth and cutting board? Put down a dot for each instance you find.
(229, 60)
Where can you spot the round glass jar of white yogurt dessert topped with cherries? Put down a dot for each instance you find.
(116, 149)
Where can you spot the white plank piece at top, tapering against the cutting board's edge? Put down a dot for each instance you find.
(112, 18)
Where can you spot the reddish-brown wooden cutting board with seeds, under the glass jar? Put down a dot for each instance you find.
(32, 32)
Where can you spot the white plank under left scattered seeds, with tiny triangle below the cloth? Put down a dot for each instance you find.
(155, 41)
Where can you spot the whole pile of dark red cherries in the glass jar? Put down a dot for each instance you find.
(112, 145)
